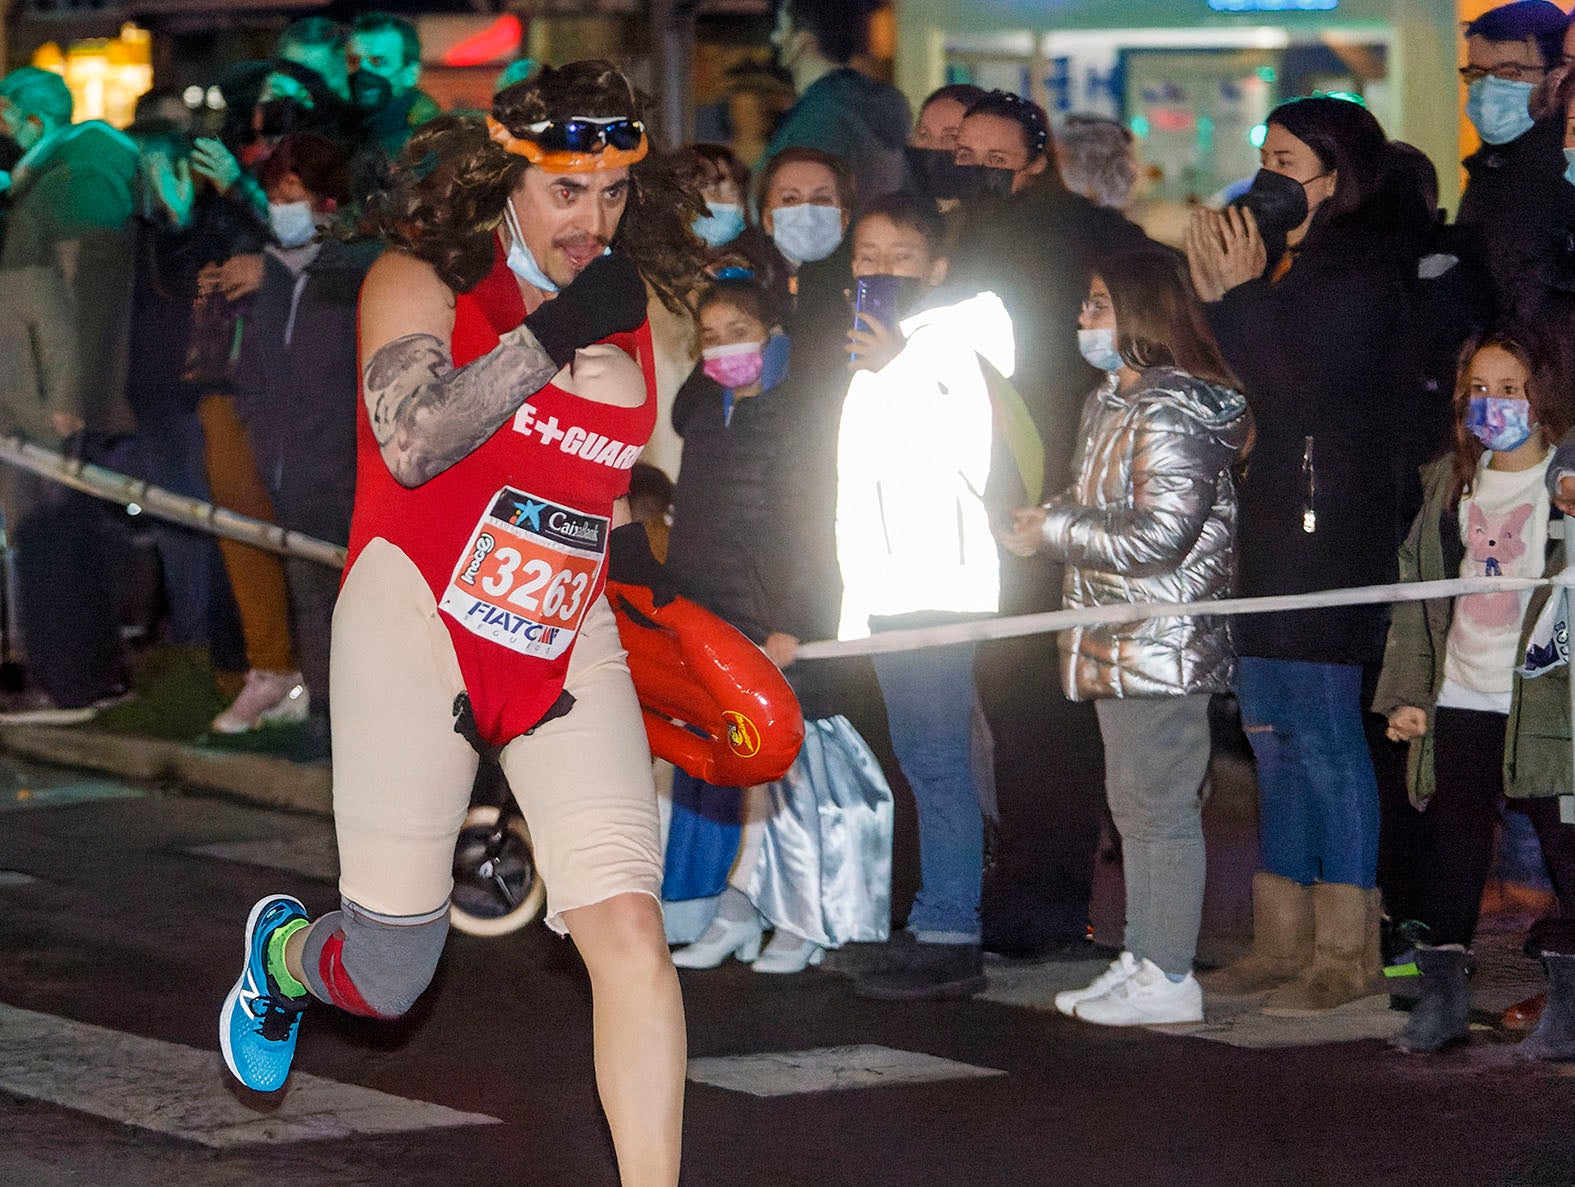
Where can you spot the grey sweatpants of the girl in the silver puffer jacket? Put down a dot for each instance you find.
(1155, 764)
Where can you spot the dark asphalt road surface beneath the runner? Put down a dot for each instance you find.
(120, 937)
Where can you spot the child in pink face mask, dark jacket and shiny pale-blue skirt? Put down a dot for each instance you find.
(752, 544)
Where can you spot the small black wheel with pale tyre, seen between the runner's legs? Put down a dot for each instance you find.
(497, 889)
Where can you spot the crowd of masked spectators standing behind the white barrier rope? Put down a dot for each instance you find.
(914, 372)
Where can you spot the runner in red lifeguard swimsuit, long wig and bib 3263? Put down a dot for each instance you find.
(508, 390)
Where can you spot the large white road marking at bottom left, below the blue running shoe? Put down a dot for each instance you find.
(183, 1092)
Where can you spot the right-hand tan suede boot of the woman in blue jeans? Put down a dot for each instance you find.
(1346, 961)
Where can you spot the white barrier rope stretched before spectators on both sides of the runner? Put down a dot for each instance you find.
(190, 512)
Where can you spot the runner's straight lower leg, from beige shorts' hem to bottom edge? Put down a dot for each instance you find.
(640, 1041)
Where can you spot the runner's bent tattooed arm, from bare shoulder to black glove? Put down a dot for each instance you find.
(428, 413)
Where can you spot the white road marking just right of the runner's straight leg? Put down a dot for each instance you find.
(829, 1070)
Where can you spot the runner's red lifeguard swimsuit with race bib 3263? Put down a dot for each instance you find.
(511, 539)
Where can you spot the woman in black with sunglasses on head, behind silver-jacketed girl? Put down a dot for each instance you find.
(1032, 242)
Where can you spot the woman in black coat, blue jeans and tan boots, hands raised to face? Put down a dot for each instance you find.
(1306, 290)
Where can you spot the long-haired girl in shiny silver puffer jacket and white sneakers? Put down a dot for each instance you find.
(1151, 517)
